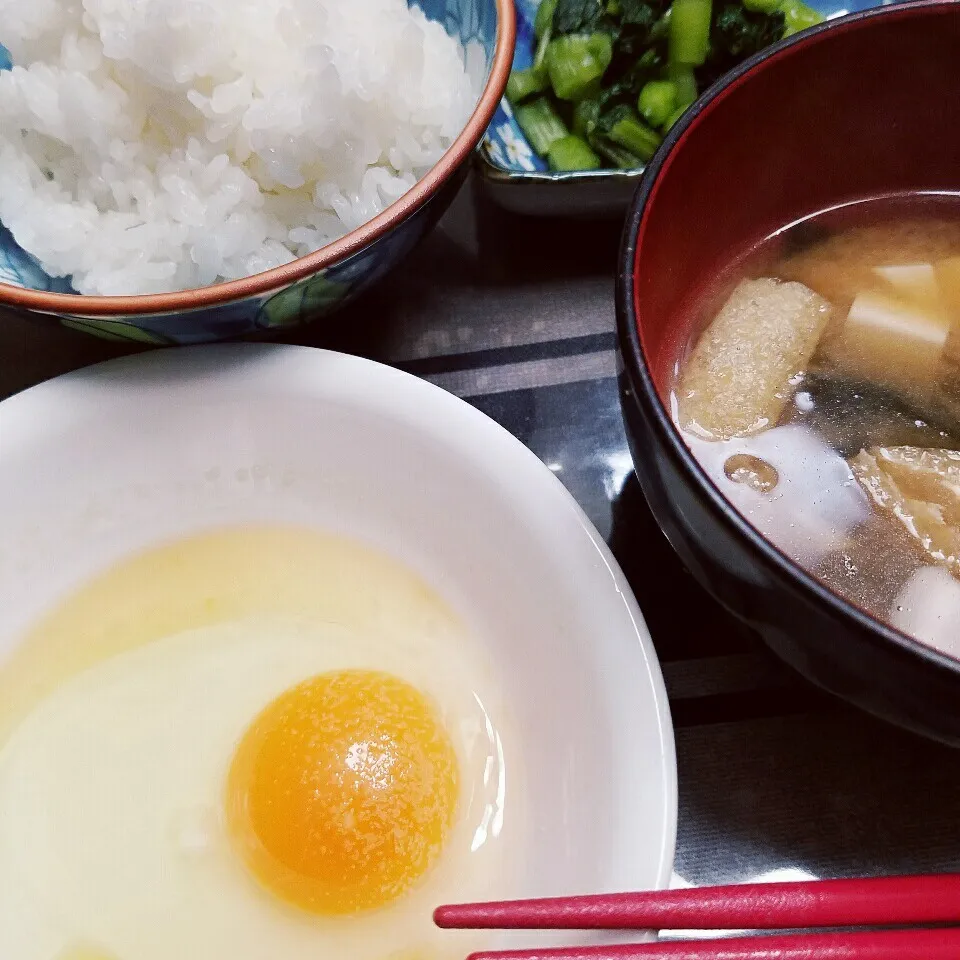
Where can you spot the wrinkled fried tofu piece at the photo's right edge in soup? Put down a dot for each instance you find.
(919, 488)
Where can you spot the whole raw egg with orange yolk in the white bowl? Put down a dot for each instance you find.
(271, 742)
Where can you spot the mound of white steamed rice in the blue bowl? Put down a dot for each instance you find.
(157, 145)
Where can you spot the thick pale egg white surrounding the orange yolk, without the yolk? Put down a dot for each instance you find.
(112, 831)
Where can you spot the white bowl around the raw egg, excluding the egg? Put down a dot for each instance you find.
(105, 461)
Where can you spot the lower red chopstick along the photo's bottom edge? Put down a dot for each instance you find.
(885, 945)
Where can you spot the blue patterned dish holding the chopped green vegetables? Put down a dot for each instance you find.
(517, 179)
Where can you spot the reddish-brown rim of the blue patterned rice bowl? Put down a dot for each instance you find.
(270, 281)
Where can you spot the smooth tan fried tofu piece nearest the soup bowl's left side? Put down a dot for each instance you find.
(743, 370)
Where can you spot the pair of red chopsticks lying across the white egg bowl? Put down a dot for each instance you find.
(892, 902)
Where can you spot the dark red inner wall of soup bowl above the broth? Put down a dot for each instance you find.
(862, 107)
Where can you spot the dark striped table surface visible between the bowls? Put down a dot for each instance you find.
(777, 781)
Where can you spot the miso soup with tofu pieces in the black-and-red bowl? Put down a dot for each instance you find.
(820, 391)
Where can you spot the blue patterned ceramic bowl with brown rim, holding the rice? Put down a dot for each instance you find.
(312, 286)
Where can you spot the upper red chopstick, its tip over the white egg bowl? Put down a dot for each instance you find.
(881, 902)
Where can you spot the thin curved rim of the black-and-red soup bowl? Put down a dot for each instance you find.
(634, 356)
